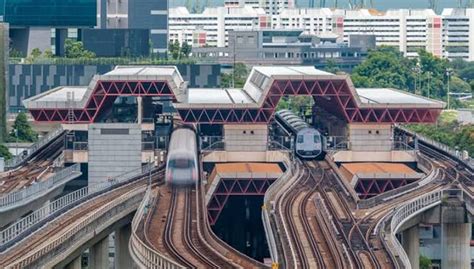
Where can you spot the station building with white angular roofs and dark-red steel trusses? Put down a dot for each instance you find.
(117, 122)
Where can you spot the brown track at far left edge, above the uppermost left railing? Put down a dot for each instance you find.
(35, 169)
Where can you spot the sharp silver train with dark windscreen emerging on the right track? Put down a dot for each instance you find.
(308, 140)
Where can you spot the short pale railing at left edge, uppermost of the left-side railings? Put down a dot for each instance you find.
(32, 192)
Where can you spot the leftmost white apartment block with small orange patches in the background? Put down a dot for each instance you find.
(211, 27)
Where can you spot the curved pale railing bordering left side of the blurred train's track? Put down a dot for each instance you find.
(144, 256)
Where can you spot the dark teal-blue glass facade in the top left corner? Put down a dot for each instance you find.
(56, 13)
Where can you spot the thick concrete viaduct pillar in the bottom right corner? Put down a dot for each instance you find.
(455, 242)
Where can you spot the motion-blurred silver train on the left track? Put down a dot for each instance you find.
(182, 160)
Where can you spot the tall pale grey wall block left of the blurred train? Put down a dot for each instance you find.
(113, 150)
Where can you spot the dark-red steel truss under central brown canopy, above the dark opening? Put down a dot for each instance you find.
(232, 187)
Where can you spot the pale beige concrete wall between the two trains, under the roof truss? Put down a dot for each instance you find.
(245, 137)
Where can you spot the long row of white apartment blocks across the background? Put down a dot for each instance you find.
(447, 35)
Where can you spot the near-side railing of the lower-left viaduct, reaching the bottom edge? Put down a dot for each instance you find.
(81, 231)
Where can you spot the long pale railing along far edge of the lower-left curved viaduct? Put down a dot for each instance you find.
(24, 226)
